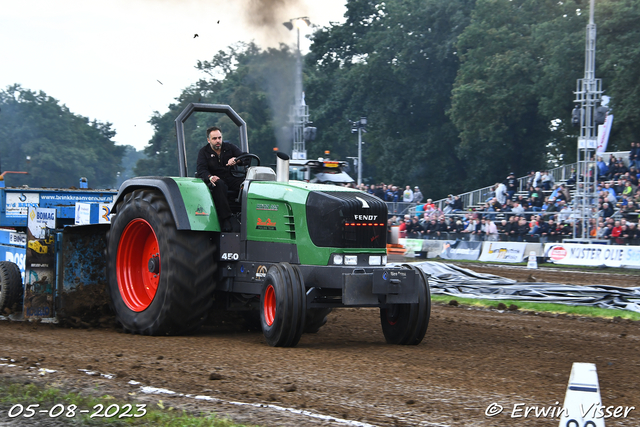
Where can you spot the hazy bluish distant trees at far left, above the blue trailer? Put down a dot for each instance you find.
(54, 146)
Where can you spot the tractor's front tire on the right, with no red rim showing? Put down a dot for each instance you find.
(406, 324)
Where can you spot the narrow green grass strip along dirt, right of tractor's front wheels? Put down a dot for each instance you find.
(575, 310)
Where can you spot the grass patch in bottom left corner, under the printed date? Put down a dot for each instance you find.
(16, 398)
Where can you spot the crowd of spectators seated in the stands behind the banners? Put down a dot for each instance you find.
(540, 211)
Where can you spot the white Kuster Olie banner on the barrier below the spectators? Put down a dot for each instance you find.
(593, 254)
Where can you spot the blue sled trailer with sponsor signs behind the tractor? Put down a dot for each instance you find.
(52, 244)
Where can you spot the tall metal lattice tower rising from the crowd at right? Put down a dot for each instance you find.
(588, 96)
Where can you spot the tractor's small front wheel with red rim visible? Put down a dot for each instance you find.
(283, 305)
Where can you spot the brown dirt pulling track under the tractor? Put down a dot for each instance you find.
(469, 359)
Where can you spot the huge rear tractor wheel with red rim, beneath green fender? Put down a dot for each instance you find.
(181, 268)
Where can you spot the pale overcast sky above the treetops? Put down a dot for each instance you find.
(118, 61)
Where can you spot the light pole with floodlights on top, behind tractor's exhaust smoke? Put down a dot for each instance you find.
(299, 114)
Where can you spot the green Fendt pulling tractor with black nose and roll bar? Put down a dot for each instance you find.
(303, 249)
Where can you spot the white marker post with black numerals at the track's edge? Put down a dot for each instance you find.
(582, 403)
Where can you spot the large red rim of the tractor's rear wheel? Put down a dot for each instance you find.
(138, 265)
